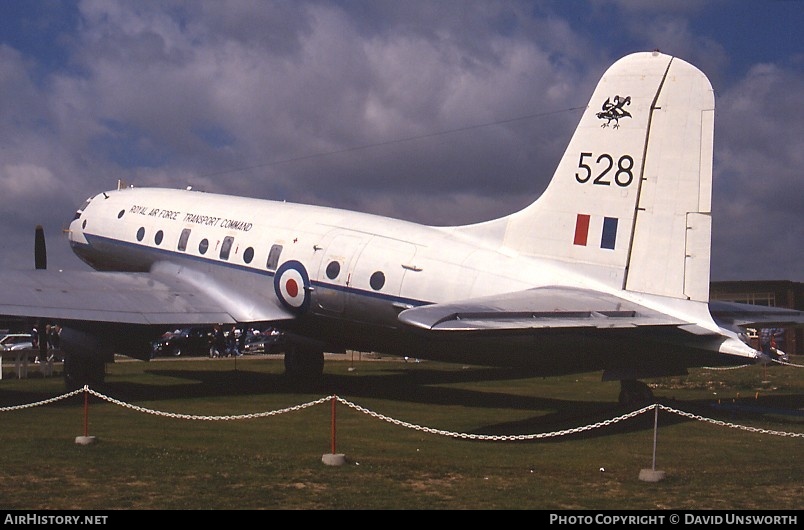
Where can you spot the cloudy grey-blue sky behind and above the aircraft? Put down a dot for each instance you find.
(437, 111)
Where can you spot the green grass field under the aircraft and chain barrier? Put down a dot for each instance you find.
(144, 461)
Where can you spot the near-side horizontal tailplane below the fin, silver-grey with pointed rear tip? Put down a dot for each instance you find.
(543, 307)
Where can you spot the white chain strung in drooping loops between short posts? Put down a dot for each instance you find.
(382, 417)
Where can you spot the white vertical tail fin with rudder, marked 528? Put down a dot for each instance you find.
(630, 201)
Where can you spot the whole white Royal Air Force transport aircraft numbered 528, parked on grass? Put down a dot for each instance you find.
(608, 270)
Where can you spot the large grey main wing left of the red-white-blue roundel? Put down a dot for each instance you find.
(158, 297)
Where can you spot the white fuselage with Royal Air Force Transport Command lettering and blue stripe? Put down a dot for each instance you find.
(343, 276)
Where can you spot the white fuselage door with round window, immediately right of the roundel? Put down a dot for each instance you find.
(334, 272)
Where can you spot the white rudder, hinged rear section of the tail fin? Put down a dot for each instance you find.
(671, 248)
